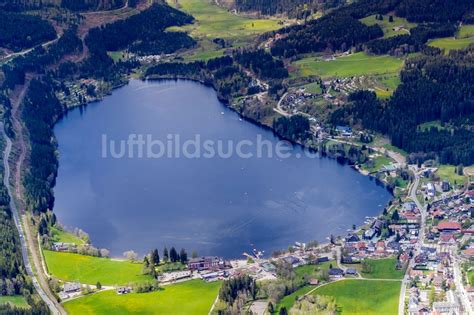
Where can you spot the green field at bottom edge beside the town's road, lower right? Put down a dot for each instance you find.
(363, 296)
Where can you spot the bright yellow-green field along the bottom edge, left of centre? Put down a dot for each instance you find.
(191, 297)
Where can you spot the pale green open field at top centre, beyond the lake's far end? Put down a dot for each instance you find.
(216, 22)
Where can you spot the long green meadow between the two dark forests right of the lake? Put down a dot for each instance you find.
(357, 64)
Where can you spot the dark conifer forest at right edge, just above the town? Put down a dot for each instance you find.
(434, 88)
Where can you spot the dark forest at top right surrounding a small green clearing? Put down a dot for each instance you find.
(341, 29)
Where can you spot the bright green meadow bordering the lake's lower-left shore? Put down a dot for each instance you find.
(89, 270)
